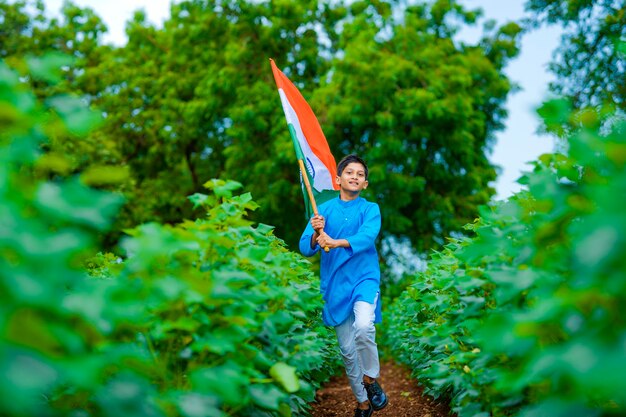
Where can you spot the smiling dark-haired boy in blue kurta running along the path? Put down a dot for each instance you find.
(350, 279)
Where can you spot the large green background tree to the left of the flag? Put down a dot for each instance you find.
(193, 101)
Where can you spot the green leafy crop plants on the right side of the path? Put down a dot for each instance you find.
(527, 318)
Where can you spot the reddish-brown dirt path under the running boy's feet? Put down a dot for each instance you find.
(405, 397)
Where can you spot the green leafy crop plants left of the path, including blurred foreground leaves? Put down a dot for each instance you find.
(207, 318)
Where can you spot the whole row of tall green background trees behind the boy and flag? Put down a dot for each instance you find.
(196, 100)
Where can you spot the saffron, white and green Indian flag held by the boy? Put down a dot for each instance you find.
(308, 140)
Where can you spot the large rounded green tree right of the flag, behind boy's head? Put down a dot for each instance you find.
(422, 111)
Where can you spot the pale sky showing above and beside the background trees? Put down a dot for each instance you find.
(515, 146)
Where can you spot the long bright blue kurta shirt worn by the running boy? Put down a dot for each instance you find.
(348, 274)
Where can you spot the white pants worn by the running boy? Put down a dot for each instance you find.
(356, 337)
